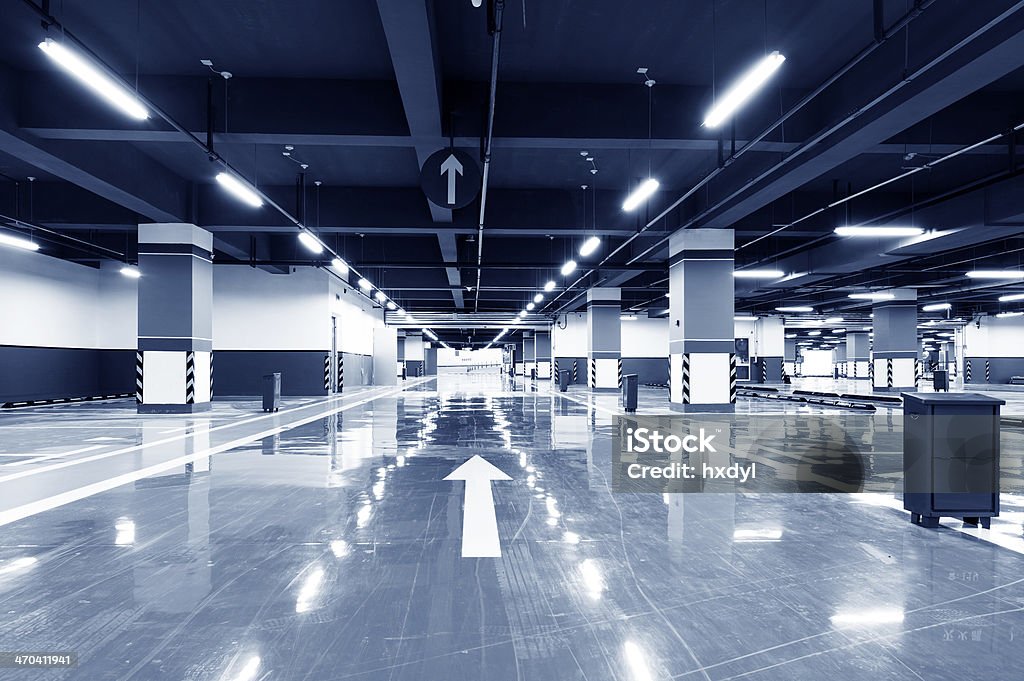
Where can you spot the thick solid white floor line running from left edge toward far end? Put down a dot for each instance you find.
(72, 496)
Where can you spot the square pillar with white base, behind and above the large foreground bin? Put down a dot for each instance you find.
(895, 355)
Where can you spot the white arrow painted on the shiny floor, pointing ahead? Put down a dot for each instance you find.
(480, 525)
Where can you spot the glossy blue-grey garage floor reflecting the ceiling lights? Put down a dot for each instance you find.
(324, 543)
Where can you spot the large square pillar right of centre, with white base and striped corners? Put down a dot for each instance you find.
(701, 311)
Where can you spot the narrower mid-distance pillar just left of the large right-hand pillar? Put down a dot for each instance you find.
(605, 358)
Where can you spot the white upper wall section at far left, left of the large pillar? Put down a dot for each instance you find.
(55, 304)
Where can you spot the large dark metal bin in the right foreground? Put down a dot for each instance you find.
(951, 457)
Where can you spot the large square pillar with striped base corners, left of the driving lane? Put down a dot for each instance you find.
(176, 319)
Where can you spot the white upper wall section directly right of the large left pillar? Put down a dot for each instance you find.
(258, 311)
